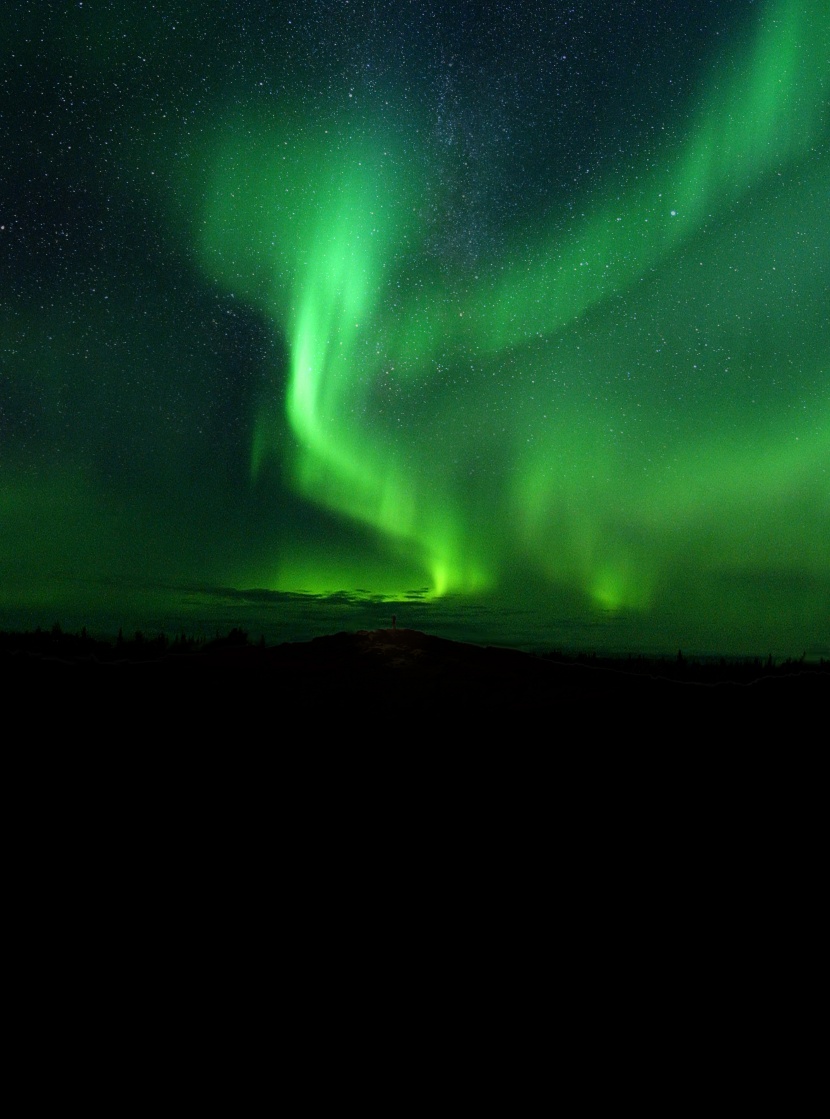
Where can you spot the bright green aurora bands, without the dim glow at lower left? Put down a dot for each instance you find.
(615, 486)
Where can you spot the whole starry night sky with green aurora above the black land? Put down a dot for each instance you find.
(511, 317)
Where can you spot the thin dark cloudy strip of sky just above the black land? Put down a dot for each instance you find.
(203, 613)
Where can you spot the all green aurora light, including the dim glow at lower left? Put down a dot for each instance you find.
(620, 402)
